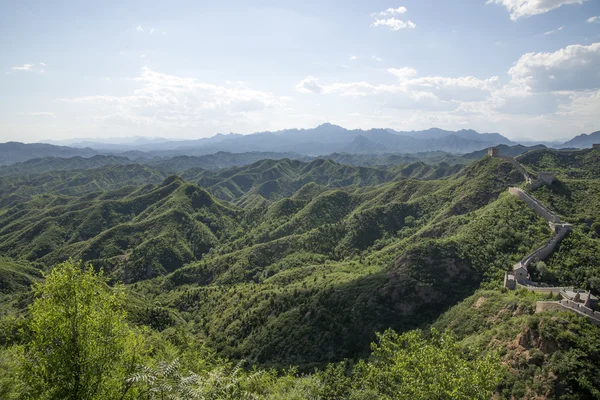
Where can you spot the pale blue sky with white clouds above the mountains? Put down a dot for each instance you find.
(528, 69)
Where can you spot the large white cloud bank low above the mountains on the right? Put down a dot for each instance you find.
(544, 94)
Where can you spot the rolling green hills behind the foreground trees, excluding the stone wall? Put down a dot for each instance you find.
(284, 262)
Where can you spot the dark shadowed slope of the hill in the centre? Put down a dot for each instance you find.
(337, 322)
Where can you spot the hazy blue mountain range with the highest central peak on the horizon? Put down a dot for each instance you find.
(324, 139)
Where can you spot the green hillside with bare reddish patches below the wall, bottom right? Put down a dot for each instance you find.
(549, 354)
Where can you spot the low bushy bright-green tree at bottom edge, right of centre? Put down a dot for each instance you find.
(408, 366)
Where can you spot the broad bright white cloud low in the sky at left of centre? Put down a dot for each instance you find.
(170, 102)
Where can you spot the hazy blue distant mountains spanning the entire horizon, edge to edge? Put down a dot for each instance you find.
(323, 140)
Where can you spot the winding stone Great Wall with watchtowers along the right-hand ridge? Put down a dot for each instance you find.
(574, 300)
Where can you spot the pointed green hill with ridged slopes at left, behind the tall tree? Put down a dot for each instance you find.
(135, 234)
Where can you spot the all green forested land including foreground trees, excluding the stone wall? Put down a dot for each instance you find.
(293, 279)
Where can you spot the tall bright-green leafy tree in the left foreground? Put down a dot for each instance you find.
(80, 346)
